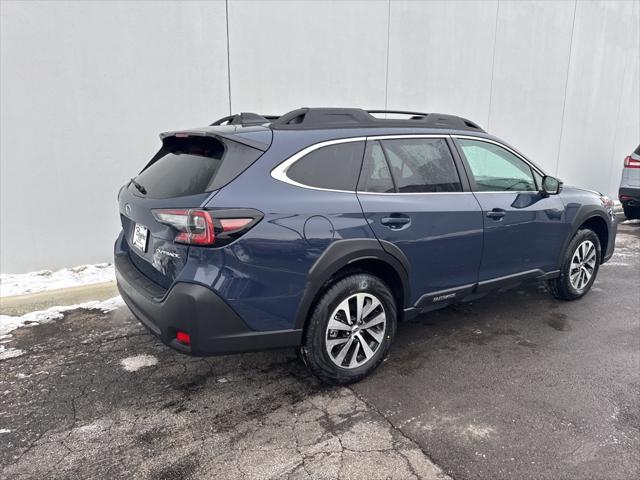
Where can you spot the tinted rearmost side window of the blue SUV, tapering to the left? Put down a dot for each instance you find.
(334, 167)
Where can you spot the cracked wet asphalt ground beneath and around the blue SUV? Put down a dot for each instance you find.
(517, 385)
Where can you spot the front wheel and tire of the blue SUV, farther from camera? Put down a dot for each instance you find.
(579, 267)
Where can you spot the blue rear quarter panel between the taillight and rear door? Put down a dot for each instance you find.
(263, 274)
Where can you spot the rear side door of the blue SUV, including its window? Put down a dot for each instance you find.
(414, 197)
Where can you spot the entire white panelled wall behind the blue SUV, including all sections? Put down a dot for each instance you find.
(87, 86)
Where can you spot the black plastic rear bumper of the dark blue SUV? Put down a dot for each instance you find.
(214, 328)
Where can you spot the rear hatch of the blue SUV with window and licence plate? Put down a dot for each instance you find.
(183, 175)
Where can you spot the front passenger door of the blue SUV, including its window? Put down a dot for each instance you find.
(523, 228)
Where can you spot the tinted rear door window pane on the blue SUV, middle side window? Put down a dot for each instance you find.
(422, 165)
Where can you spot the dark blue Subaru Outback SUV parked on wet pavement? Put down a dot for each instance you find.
(324, 227)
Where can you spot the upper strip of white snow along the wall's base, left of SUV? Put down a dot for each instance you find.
(40, 281)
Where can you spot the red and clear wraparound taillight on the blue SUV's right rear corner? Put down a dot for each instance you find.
(208, 227)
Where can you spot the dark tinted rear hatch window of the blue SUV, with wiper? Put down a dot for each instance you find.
(194, 165)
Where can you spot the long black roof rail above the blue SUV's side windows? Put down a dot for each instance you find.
(306, 118)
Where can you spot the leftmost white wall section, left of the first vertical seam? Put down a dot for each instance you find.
(85, 89)
